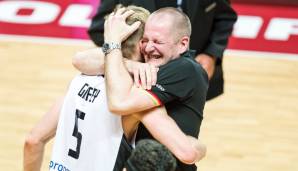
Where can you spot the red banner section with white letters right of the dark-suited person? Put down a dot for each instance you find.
(265, 28)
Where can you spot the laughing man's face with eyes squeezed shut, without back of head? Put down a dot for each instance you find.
(158, 45)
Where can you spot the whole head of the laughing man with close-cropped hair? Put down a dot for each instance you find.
(166, 36)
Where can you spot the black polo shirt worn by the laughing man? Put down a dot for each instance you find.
(182, 86)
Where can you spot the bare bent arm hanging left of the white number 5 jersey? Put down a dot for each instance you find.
(39, 136)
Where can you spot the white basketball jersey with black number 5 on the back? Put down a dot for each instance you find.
(88, 135)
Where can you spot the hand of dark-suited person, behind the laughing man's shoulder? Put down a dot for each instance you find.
(207, 62)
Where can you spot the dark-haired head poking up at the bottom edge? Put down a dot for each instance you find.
(150, 155)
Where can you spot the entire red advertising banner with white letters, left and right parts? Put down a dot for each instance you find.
(259, 27)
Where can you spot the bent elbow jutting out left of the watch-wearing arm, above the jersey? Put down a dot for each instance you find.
(89, 62)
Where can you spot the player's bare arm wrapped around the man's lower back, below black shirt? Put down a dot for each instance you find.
(163, 128)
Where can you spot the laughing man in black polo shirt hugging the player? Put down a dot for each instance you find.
(182, 83)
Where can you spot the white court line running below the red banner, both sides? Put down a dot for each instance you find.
(88, 43)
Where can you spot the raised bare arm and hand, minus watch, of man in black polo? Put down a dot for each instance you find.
(123, 96)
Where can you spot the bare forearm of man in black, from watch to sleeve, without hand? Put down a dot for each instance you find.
(123, 96)
